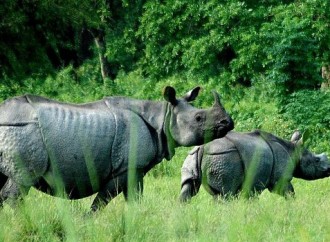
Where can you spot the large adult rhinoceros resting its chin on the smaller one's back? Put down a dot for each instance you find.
(78, 150)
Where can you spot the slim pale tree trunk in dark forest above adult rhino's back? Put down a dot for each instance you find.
(101, 47)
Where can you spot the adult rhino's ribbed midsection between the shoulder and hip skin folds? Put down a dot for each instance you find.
(78, 143)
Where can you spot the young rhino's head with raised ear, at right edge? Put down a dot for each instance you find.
(310, 166)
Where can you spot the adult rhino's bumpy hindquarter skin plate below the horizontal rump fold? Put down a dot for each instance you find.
(23, 156)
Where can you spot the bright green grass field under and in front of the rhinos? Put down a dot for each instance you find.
(160, 217)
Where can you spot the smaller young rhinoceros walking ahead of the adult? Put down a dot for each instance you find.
(250, 163)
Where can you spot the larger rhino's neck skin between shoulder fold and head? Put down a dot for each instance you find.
(154, 114)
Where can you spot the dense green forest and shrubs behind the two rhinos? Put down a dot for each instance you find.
(268, 59)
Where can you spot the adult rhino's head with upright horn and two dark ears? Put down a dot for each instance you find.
(186, 125)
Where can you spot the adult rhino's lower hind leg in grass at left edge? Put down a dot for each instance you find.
(11, 190)
